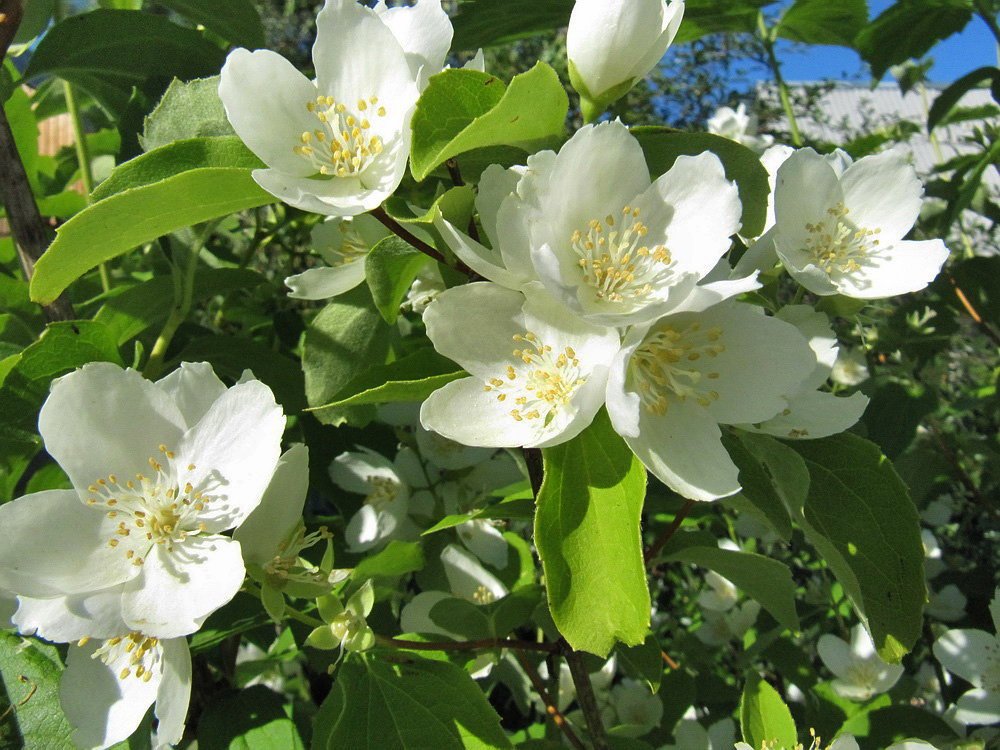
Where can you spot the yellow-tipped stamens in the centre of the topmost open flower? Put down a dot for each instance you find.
(341, 146)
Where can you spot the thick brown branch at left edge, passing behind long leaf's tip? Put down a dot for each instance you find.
(30, 232)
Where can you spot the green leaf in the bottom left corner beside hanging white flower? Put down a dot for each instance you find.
(30, 672)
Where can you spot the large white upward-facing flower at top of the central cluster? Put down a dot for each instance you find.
(604, 240)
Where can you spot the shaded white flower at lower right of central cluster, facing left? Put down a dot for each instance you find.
(673, 383)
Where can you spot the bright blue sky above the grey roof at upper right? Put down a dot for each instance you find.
(955, 56)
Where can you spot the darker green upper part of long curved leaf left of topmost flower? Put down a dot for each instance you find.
(175, 158)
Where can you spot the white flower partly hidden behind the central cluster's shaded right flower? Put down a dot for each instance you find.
(812, 413)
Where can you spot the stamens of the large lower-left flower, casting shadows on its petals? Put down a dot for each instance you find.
(151, 508)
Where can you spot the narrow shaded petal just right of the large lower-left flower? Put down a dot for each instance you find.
(280, 508)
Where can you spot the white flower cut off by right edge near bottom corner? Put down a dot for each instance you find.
(974, 655)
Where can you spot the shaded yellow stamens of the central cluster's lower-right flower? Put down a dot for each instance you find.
(671, 362)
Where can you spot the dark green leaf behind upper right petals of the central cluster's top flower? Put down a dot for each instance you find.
(662, 146)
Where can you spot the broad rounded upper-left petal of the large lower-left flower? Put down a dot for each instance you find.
(101, 420)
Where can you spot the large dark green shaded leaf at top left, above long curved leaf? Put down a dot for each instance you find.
(110, 52)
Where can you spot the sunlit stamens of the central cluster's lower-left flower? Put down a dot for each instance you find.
(541, 382)
